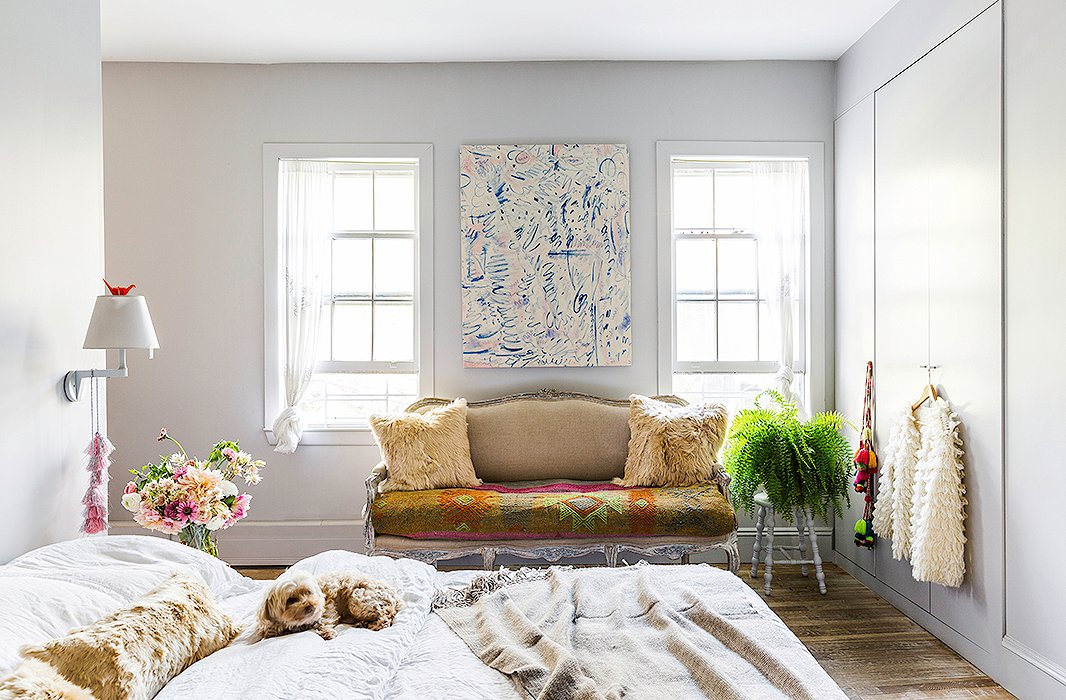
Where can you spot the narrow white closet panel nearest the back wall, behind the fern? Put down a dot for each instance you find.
(854, 296)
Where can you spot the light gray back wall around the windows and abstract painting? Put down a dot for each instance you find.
(184, 202)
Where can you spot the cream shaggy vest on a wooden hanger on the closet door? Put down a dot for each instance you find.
(922, 502)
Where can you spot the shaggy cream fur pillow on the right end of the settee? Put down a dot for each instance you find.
(673, 446)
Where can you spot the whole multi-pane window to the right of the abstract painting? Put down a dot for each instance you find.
(734, 245)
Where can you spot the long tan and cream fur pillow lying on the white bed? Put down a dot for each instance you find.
(134, 653)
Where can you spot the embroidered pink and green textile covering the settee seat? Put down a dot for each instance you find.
(541, 511)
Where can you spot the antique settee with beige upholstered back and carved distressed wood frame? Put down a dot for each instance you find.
(547, 461)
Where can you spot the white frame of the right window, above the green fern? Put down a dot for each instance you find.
(814, 291)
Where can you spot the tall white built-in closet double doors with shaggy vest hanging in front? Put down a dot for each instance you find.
(940, 289)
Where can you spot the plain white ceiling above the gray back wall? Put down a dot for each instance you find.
(343, 31)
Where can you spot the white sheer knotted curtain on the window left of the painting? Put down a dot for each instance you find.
(304, 221)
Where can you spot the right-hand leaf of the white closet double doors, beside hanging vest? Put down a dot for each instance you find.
(966, 302)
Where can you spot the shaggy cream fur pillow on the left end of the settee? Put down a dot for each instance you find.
(426, 451)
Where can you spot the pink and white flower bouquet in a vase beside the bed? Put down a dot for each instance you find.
(191, 498)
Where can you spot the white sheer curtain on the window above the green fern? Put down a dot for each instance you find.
(782, 223)
